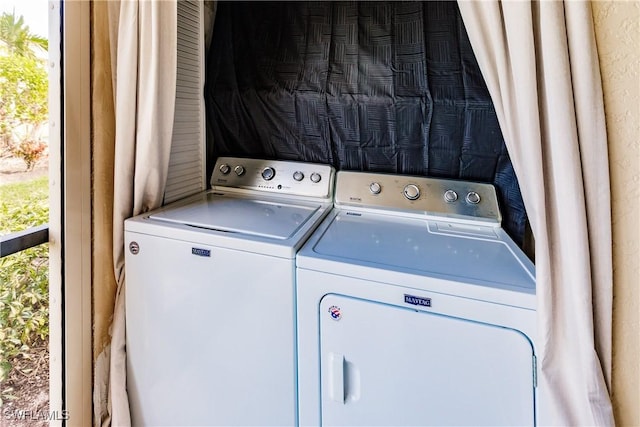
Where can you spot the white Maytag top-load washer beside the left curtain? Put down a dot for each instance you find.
(210, 296)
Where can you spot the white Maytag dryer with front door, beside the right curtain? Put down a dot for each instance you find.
(414, 308)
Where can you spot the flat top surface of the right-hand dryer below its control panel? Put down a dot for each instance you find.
(425, 247)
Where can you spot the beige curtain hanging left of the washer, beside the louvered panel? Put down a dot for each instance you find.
(142, 42)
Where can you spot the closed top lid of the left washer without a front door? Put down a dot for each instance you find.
(266, 218)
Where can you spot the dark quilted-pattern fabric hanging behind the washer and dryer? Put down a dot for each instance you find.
(373, 86)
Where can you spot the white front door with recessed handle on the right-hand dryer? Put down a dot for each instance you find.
(388, 365)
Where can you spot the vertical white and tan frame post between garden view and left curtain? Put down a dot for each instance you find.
(70, 376)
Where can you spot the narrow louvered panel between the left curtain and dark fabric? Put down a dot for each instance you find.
(187, 167)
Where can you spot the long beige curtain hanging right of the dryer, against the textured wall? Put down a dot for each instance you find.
(540, 63)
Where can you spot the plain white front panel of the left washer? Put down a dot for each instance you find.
(210, 335)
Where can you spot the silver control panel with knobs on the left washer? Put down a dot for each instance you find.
(277, 176)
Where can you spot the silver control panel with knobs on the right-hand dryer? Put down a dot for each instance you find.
(416, 194)
